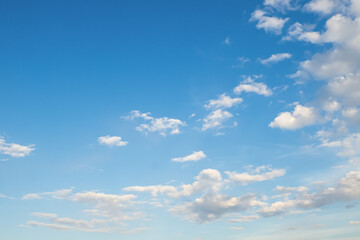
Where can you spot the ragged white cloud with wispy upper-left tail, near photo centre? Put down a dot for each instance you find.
(163, 125)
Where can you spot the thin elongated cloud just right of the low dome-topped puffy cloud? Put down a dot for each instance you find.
(260, 174)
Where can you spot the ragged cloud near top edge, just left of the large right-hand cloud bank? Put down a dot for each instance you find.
(269, 24)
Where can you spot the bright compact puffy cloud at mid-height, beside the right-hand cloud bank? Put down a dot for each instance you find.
(301, 117)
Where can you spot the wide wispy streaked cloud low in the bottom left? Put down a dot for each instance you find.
(111, 210)
